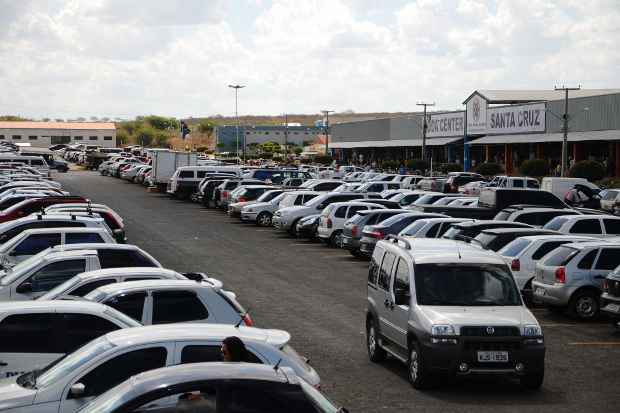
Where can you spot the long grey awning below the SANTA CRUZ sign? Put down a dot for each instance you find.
(601, 135)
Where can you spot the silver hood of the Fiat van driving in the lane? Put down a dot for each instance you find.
(458, 317)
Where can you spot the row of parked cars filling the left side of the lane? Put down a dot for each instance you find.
(91, 323)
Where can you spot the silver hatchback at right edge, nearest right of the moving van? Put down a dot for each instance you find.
(572, 276)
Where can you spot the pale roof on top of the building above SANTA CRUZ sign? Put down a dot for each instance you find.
(521, 96)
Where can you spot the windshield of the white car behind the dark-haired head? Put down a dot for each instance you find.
(84, 355)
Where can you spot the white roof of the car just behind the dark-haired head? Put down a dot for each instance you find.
(185, 331)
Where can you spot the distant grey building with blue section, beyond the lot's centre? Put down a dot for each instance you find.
(226, 136)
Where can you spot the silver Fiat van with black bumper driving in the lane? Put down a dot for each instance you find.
(443, 307)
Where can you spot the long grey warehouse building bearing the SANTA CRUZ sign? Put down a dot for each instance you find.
(502, 126)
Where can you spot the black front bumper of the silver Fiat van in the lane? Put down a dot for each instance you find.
(447, 358)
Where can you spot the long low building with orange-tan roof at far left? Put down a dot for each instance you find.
(46, 134)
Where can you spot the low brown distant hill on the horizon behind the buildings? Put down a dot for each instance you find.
(298, 118)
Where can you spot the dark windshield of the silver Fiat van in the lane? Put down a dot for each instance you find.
(465, 285)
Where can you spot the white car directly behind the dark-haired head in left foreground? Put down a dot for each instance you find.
(115, 357)
